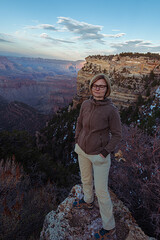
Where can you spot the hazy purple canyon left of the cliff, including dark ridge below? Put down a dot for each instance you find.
(33, 89)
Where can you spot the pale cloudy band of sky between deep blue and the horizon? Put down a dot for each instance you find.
(74, 38)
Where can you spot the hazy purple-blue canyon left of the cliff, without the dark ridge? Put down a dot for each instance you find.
(44, 84)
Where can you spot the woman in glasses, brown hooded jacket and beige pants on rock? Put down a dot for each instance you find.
(98, 131)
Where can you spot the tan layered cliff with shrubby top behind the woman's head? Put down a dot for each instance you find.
(128, 76)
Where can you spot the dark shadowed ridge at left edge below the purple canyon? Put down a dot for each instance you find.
(20, 116)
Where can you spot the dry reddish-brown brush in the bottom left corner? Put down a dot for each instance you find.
(23, 206)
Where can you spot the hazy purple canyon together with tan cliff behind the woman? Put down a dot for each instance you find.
(48, 84)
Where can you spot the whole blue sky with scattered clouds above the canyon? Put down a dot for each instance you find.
(73, 30)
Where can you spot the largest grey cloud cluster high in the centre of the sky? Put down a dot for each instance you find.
(81, 30)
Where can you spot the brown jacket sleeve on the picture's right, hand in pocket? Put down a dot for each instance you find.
(116, 132)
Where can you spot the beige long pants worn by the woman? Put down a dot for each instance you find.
(95, 165)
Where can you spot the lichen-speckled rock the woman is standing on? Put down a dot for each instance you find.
(67, 223)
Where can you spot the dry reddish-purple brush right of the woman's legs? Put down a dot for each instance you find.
(136, 181)
